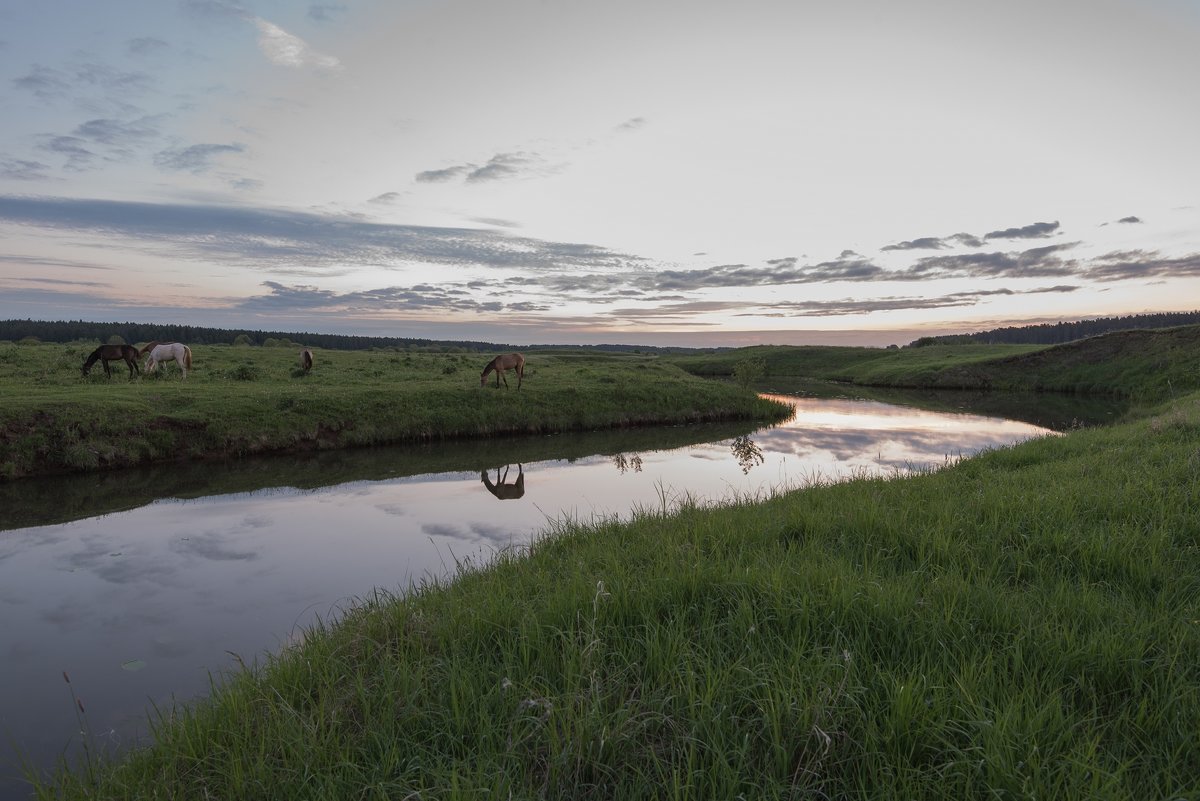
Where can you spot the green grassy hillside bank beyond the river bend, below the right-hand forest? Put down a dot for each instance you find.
(1145, 365)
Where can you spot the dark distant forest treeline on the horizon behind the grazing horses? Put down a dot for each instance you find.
(136, 333)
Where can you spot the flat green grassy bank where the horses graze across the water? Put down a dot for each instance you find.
(239, 401)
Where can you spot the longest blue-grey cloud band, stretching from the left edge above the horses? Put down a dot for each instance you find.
(287, 240)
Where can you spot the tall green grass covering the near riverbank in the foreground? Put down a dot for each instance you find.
(1021, 625)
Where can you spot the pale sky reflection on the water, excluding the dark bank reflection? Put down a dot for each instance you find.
(181, 586)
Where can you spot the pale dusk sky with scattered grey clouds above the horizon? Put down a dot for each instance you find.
(639, 172)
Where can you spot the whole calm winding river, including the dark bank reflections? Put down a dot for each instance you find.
(142, 586)
